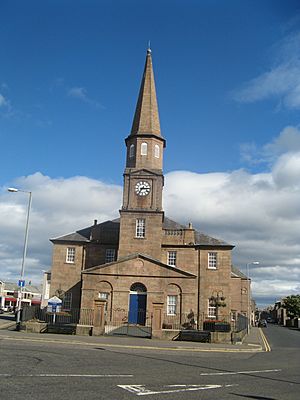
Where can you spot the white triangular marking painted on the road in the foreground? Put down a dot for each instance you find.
(141, 390)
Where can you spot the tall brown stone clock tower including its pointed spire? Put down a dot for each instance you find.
(141, 215)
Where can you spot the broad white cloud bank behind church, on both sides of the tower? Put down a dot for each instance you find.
(258, 213)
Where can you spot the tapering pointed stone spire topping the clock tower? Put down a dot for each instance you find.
(146, 118)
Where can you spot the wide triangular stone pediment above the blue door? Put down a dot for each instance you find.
(139, 265)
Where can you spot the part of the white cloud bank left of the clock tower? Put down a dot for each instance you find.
(59, 206)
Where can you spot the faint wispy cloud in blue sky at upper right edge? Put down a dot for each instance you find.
(281, 82)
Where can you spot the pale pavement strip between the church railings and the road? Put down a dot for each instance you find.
(254, 342)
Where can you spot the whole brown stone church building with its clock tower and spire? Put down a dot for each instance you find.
(144, 258)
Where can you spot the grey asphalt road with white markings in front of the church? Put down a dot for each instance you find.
(38, 370)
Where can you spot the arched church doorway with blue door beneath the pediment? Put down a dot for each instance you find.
(137, 304)
